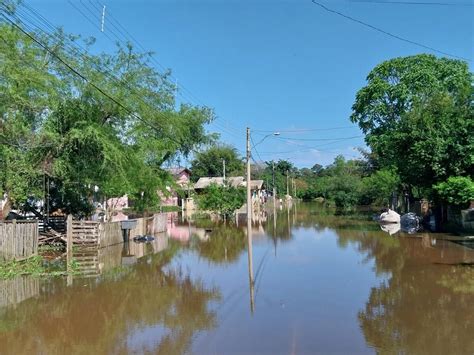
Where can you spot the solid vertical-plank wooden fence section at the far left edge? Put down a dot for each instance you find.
(18, 240)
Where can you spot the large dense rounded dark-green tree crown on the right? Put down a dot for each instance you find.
(418, 116)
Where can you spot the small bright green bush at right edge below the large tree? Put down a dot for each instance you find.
(457, 190)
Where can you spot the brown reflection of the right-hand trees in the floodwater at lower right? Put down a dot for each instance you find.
(425, 303)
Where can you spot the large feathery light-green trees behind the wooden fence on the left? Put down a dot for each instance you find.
(55, 124)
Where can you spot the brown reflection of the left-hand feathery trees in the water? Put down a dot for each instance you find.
(101, 316)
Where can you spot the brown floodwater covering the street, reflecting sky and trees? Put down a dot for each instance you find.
(320, 284)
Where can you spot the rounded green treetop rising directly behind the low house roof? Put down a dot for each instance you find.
(210, 162)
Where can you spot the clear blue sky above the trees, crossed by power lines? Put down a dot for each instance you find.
(275, 65)
